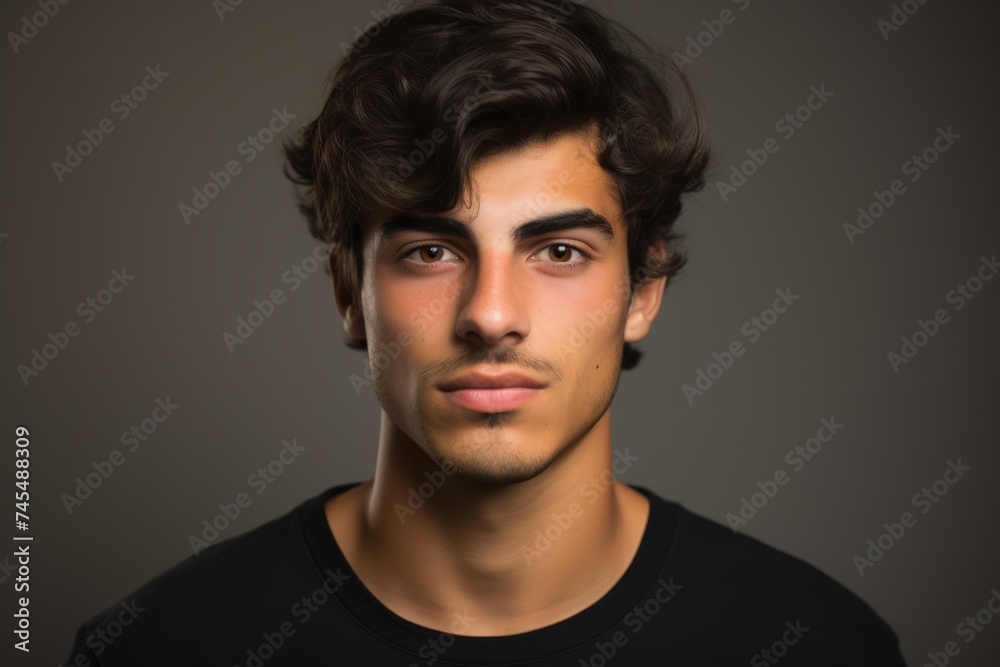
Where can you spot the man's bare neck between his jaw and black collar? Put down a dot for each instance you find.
(431, 544)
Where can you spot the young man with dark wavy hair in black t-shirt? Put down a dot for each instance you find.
(499, 182)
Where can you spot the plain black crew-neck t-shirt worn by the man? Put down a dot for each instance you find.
(283, 594)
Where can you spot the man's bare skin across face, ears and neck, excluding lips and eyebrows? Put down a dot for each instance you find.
(495, 304)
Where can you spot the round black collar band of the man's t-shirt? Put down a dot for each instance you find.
(583, 628)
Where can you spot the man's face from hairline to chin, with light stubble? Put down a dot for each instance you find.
(549, 304)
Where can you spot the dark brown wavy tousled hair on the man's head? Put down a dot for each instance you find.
(481, 77)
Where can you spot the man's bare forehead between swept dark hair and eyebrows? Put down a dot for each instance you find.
(541, 178)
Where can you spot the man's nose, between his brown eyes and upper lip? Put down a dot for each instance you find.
(493, 309)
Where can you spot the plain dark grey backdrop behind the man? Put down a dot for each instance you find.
(162, 336)
